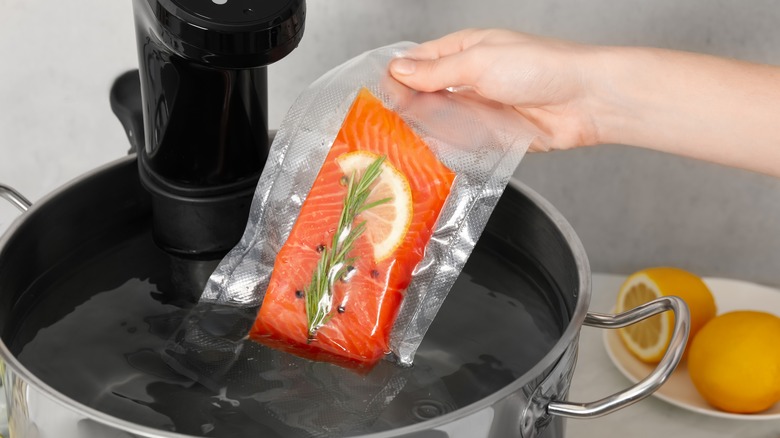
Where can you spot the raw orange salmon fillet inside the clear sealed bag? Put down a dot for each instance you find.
(355, 333)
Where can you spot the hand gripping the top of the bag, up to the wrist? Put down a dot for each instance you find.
(543, 79)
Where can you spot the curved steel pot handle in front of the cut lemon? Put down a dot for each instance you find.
(649, 384)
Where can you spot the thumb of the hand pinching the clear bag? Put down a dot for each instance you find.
(434, 74)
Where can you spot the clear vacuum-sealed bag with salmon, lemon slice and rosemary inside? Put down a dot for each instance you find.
(371, 200)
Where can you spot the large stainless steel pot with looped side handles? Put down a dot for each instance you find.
(110, 198)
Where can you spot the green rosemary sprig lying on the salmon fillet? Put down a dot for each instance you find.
(335, 262)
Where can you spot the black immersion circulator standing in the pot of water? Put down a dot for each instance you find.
(205, 108)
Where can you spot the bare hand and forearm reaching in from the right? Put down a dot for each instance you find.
(705, 107)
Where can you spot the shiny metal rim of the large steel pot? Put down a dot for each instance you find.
(569, 335)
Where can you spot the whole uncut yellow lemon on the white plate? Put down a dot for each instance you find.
(734, 361)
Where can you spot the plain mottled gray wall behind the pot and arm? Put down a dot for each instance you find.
(631, 207)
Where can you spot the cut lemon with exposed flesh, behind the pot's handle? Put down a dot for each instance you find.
(648, 339)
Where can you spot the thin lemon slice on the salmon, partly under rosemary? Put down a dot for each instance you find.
(387, 223)
